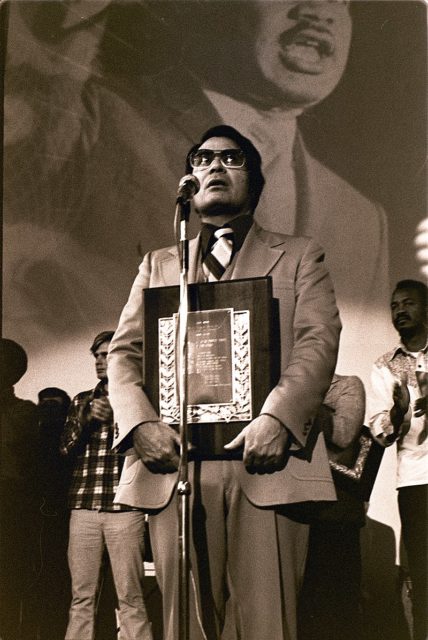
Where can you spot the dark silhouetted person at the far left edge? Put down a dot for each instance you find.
(19, 499)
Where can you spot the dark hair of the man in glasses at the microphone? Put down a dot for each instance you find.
(252, 156)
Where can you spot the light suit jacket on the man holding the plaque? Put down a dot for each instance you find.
(310, 327)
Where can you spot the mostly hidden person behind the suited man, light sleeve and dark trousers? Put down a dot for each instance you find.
(330, 605)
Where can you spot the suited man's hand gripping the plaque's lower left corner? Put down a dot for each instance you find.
(157, 444)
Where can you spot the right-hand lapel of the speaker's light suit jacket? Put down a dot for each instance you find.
(257, 257)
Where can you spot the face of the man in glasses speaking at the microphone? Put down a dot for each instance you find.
(223, 190)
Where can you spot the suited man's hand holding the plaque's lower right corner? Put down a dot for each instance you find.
(265, 442)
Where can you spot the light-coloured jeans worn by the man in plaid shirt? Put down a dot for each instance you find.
(123, 535)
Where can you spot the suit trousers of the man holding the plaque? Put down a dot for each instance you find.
(250, 558)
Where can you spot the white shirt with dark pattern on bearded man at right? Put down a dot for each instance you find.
(412, 442)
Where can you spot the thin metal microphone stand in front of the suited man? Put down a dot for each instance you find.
(182, 212)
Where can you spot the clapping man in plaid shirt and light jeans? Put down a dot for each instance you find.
(96, 522)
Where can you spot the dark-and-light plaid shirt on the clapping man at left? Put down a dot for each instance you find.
(96, 469)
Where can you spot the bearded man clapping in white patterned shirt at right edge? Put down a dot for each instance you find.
(399, 415)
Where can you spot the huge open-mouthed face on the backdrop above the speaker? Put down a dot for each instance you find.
(302, 47)
